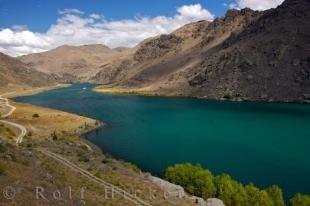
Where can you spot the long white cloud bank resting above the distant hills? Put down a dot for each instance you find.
(73, 28)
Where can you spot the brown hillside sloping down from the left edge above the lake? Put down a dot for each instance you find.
(14, 72)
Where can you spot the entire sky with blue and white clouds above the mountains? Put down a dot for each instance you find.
(40, 25)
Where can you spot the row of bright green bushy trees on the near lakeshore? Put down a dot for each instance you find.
(202, 183)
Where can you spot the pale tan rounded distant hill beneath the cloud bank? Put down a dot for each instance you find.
(70, 63)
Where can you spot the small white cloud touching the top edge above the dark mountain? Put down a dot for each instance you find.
(255, 4)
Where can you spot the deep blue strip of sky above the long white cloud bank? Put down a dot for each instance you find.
(38, 15)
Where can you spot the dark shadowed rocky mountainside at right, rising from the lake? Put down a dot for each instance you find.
(268, 60)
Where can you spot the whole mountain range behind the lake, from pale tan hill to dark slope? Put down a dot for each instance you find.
(246, 54)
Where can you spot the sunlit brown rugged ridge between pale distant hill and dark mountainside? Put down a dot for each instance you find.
(156, 59)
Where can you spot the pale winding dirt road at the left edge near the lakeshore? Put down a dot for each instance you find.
(23, 131)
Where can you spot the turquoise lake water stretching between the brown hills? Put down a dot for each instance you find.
(263, 143)
